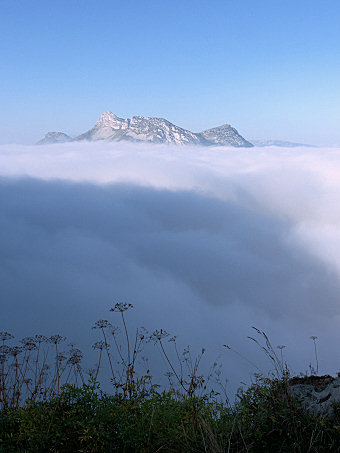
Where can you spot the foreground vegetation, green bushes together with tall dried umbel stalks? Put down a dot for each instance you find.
(53, 408)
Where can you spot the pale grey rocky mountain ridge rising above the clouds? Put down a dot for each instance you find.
(110, 127)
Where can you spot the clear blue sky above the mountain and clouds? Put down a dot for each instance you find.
(270, 68)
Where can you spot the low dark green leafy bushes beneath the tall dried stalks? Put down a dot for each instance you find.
(85, 420)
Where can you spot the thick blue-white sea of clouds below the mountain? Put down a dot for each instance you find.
(204, 242)
